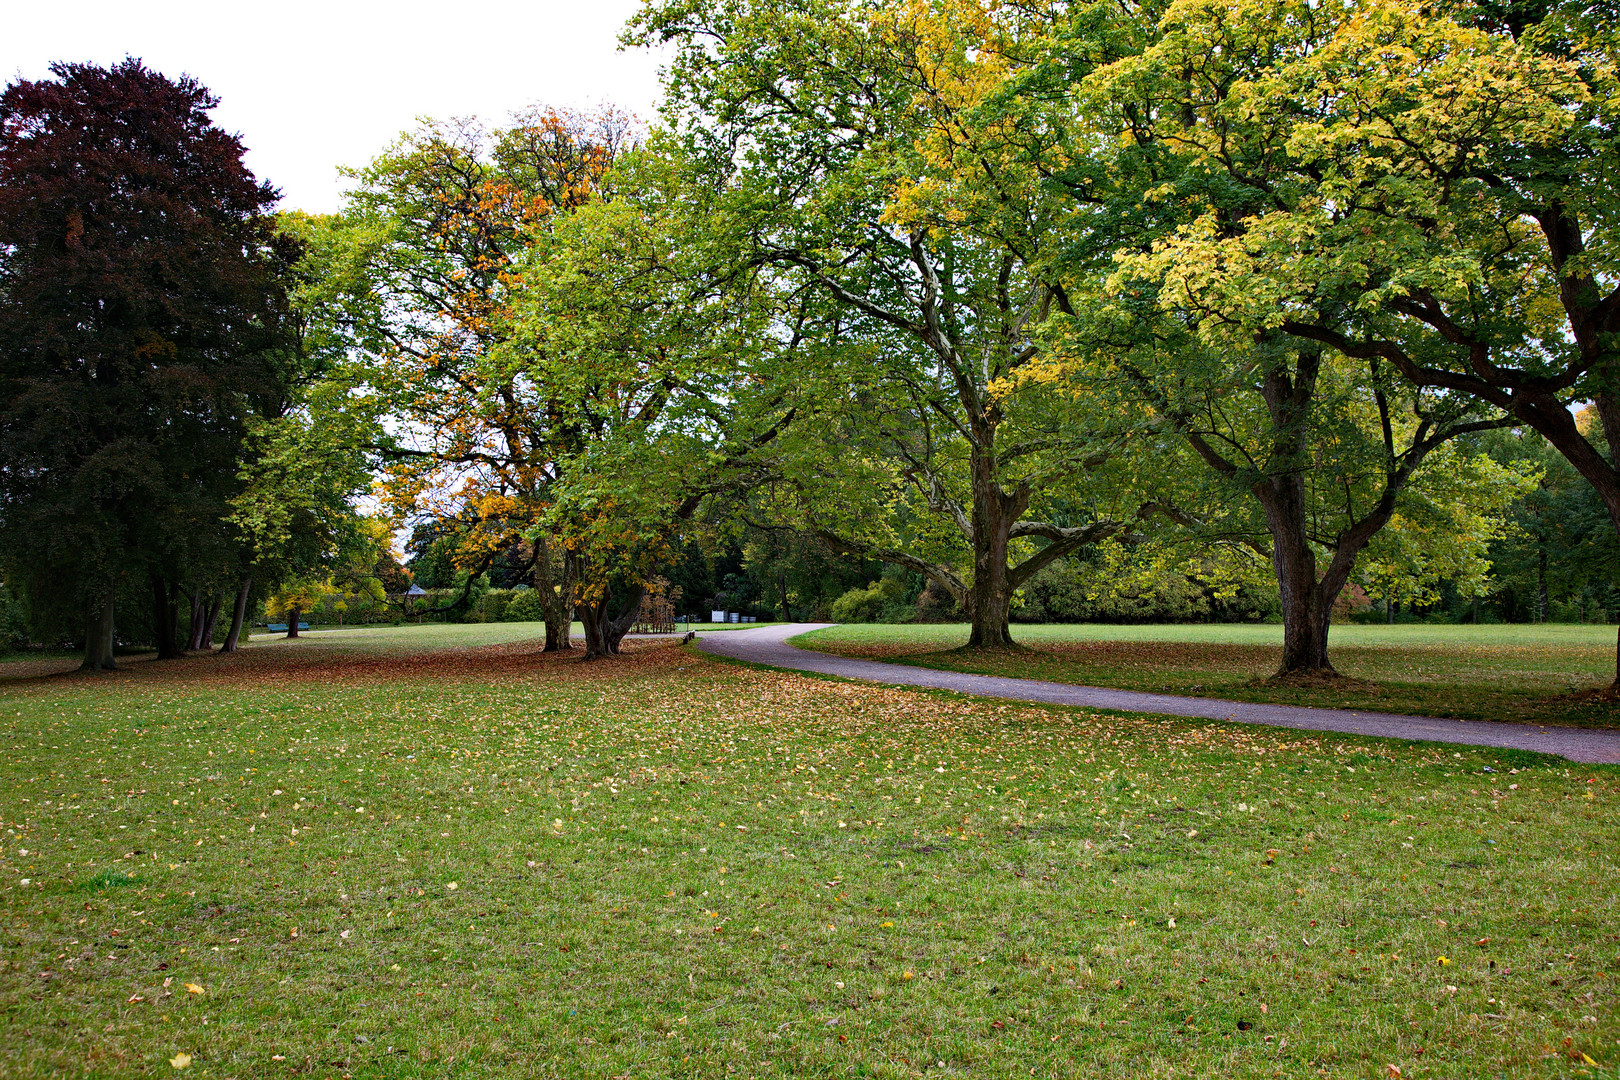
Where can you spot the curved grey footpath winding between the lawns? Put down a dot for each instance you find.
(769, 647)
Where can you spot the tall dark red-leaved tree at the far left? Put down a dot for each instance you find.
(140, 328)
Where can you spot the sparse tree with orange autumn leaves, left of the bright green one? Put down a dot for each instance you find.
(420, 274)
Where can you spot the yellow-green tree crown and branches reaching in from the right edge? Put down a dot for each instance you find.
(1433, 190)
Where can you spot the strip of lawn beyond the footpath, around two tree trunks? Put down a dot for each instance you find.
(1494, 673)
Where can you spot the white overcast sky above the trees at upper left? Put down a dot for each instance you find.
(313, 87)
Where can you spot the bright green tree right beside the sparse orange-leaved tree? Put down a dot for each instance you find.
(660, 357)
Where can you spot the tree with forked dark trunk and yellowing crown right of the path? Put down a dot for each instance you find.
(1169, 176)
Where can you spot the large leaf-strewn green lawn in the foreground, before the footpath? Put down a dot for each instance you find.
(492, 862)
